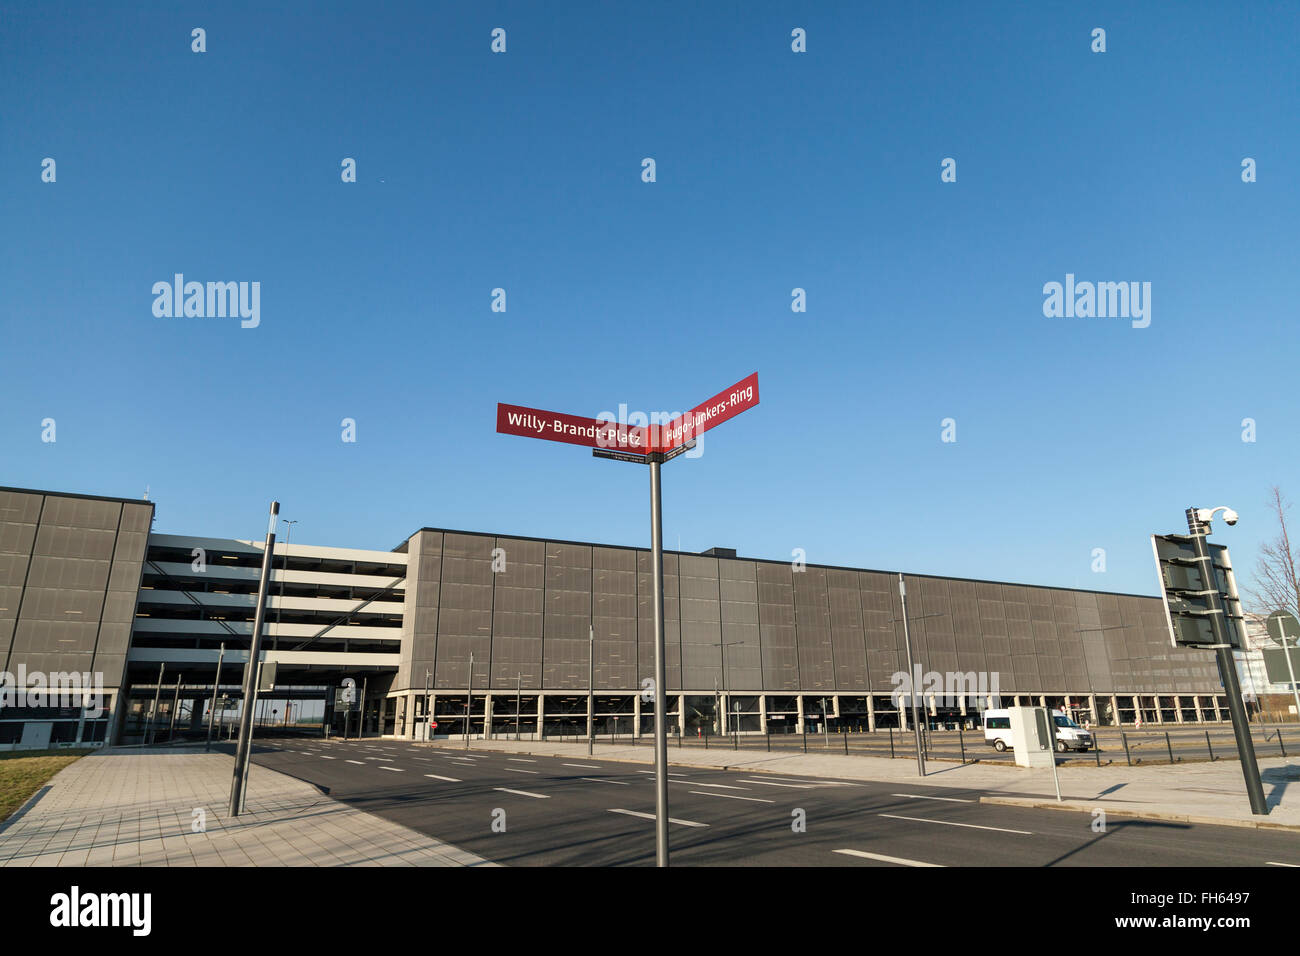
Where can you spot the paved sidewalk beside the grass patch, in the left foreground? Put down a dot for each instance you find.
(136, 808)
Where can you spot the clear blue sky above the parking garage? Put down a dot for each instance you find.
(774, 171)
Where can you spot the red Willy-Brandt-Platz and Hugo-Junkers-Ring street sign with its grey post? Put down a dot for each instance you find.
(652, 445)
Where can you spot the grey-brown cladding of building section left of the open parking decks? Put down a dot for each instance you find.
(70, 574)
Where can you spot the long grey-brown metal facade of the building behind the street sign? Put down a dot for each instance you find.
(779, 629)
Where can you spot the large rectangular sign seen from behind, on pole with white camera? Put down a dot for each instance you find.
(1188, 594)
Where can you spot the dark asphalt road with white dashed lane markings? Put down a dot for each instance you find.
(587, 812)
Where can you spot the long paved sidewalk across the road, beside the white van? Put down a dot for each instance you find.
(1201, 793)
